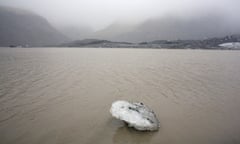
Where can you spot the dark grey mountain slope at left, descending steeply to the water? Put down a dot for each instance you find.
(21, 27)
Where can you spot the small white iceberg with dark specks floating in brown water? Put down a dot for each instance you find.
(136, 115)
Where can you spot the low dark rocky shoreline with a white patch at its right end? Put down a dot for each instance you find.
(231, 42)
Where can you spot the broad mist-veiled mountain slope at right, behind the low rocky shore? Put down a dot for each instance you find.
(174, 28)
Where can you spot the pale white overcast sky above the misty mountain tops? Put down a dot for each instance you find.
(100, 13)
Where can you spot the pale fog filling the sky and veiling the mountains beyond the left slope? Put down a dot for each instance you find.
(137, 20)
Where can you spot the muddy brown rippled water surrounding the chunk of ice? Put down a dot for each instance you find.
(63, 96)
